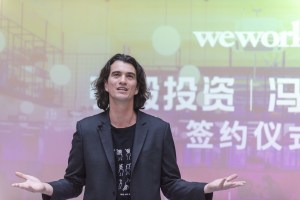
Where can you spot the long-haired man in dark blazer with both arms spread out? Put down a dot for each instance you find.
(123, 153)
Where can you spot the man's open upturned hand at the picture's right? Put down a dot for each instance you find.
(223, 184)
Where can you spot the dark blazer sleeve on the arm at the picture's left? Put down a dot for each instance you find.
(72, 184)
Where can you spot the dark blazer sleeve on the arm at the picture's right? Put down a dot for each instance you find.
(173, 187)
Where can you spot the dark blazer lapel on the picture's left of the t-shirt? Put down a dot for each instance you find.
(104, 130)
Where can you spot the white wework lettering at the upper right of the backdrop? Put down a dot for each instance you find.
(267, 39)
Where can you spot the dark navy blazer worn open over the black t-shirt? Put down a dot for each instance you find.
(91, 163)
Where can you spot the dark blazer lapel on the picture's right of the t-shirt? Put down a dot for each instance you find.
(139, 137)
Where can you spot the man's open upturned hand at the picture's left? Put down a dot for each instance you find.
(33, 184)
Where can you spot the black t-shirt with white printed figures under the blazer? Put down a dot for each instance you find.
(123, 141)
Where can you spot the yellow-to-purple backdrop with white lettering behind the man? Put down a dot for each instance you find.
(224, 73)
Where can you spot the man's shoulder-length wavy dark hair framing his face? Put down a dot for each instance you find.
(102, 95)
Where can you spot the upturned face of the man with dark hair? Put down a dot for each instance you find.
(121, 84)
